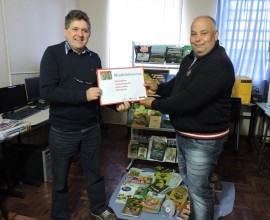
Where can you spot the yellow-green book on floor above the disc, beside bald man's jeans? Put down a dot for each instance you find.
(178, 195)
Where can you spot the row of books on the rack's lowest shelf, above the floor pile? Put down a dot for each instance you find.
(156, 148)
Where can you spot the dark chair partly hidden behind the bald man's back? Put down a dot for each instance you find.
(235, 117)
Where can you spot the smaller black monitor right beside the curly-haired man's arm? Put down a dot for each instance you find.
(32, 89)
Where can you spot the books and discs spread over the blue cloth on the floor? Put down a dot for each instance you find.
(149, 191)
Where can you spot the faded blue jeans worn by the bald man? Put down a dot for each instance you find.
(197, 160)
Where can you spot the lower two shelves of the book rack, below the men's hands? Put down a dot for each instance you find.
(152, 136)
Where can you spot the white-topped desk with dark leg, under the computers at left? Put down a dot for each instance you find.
(37, 119)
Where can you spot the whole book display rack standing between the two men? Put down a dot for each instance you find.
(152, 136)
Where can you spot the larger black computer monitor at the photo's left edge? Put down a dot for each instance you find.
(12, 98)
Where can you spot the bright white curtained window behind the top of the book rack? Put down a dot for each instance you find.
(144, 22)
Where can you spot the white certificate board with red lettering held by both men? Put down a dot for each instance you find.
(121, 84)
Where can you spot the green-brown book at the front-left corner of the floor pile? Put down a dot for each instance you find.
(133, 207)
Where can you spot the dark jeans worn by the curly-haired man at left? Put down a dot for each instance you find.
(63, 146)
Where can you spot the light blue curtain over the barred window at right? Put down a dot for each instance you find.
(244, 31)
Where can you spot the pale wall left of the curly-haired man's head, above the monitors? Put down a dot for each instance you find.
(28, 29)
